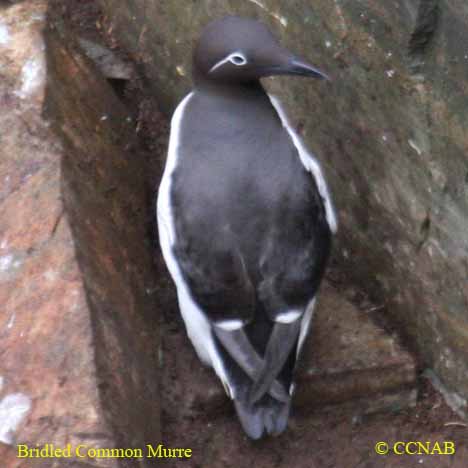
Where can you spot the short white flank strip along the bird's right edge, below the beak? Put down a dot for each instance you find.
(310, 164)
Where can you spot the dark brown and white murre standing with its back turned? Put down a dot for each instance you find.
(245, 220)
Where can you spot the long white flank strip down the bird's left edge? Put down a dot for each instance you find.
(198, 326)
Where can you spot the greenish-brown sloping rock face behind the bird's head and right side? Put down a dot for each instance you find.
(390, 132)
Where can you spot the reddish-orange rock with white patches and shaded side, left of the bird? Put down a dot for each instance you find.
(77, 329)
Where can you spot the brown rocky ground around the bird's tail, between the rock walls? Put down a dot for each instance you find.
(197, 414)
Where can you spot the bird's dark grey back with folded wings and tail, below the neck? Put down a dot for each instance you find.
(251, 235)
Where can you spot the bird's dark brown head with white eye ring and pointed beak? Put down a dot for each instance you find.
(234, 49)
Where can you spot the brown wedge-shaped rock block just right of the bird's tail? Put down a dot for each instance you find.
(348, 358)
